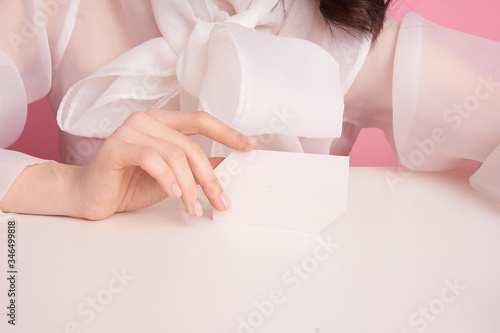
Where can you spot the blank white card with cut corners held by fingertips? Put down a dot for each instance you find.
(292, 191)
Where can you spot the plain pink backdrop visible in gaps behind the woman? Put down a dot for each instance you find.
(476, 17)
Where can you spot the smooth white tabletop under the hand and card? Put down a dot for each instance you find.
(423, 256)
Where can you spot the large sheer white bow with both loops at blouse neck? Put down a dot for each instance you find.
(257, 82)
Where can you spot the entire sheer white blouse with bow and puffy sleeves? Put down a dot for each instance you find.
(272, 70)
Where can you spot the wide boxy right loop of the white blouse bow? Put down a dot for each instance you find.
(260, 83)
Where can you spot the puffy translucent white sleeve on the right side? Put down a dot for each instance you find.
(446, 101)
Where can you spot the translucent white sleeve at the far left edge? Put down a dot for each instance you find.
(25, 67)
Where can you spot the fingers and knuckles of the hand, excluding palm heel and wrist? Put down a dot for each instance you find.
(174, 160)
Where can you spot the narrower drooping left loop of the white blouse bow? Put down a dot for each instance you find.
(141, 79)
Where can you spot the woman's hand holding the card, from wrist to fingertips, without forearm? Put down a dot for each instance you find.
(150, 157)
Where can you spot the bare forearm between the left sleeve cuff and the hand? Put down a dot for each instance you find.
(43, 189)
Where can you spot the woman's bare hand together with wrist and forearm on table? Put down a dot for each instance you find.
(145, 160)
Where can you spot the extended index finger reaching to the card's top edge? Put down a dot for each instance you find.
(201, 122)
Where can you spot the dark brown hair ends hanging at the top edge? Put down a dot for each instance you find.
(360, 18)
